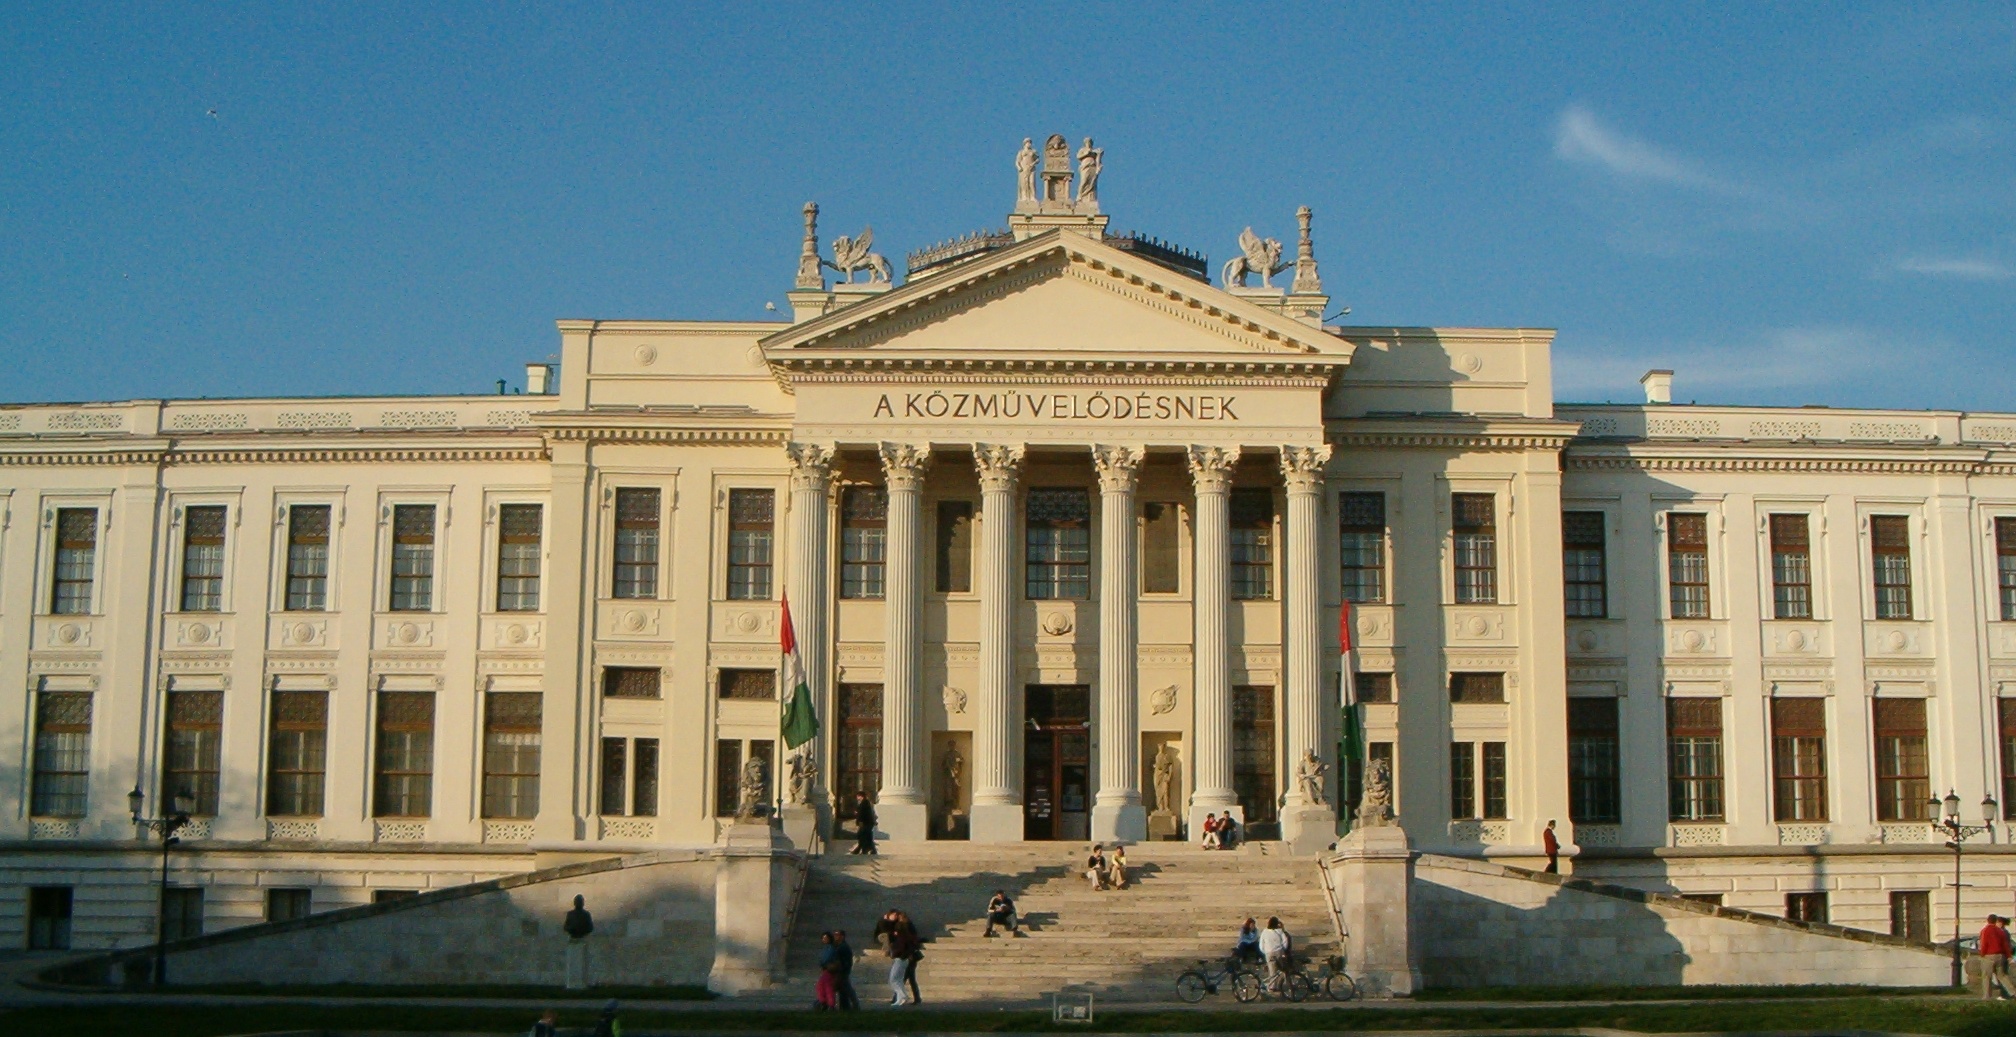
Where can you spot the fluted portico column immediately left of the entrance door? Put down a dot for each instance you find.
(997, 768)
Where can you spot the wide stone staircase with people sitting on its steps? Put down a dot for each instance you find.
(1122, 945)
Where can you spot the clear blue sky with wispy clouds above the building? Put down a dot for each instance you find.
(1785, 203)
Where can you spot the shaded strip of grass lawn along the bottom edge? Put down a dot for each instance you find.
(1942, 1016)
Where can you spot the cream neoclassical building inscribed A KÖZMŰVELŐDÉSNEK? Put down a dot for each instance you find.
(1065, 532)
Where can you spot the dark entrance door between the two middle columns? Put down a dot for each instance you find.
(1057, 764)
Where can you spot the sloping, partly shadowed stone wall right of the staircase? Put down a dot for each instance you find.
(1485, 925)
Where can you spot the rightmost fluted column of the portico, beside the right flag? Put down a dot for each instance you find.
(1309, 822)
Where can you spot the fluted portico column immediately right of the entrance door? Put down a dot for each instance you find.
(1118, 810)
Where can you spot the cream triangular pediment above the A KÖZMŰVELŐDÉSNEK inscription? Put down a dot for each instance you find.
(1059, 296)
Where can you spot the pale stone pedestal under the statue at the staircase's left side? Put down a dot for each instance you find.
(747, 909)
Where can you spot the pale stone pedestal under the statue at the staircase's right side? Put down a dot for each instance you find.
(1374, 873)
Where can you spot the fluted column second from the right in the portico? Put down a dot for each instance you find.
(1211, 471)
